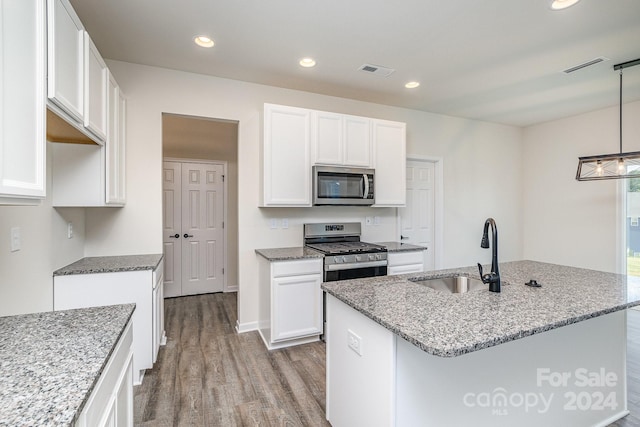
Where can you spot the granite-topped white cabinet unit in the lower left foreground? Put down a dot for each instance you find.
(66, 368)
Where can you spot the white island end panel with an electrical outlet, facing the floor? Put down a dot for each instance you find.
(360, 384)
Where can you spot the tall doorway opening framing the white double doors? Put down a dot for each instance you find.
(205, 152)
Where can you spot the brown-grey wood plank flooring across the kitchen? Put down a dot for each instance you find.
(207, 375)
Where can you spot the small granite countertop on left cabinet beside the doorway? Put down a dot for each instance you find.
(111, 264)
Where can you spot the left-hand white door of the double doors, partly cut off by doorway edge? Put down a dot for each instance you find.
(172, 228)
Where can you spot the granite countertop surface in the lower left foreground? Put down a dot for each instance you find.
(51, 361)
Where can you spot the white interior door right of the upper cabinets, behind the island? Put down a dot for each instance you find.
(417, 219)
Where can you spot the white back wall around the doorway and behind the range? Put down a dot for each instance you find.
(482, 172)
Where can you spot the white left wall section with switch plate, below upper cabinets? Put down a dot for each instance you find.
(26, 280)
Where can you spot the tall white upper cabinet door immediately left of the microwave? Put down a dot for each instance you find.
(286, 174)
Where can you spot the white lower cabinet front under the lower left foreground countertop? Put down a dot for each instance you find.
(111, 401)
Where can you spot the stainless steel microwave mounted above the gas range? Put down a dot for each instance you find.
(333, 185)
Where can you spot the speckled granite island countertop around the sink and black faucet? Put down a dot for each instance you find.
(451, 325)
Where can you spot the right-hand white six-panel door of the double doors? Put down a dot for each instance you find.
(202, 228)
